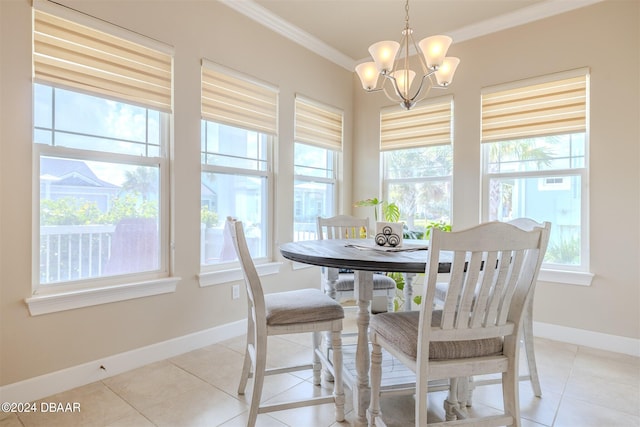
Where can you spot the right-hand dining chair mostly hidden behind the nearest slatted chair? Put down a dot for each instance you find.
(527, 324)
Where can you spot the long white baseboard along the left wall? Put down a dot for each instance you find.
(76, 376)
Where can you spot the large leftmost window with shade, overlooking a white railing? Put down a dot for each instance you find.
(101, 131)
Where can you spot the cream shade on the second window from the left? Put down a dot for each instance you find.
(234, 100)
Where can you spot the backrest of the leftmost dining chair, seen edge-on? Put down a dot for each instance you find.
(255, 293)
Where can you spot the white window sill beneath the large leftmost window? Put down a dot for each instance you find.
(51, 303)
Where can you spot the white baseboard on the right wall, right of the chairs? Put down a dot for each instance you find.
(615, 343)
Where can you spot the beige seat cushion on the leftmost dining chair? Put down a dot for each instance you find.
(301, 306)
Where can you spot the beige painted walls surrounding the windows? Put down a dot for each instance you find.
(603, 37)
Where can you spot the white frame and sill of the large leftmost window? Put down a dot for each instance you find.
(66, 295)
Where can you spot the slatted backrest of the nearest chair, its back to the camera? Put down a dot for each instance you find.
(493, 271)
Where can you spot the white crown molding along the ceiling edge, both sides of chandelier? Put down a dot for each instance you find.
(274, 22)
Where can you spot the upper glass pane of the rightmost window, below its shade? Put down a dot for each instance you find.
(537, 154)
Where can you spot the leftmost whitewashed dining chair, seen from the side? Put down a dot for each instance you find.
(289, 312)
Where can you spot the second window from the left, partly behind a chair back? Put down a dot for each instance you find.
(238, 131)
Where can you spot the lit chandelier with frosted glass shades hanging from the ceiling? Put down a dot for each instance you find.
(398, 67)
